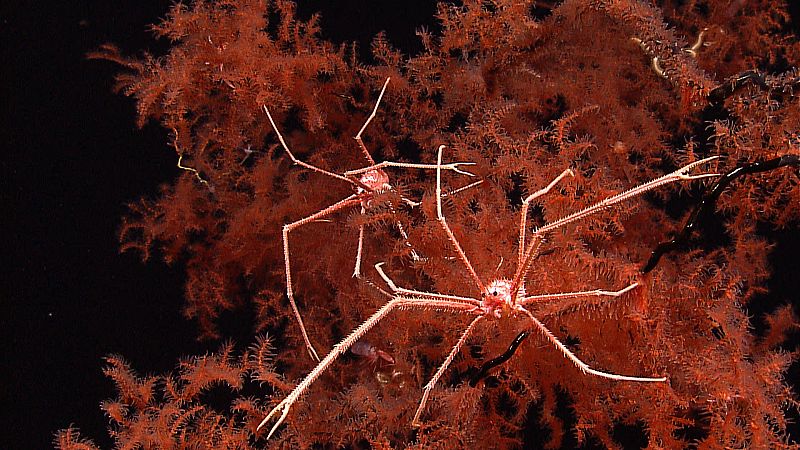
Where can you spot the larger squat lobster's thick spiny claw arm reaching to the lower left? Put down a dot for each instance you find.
(352, 338)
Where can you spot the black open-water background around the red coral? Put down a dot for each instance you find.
(72, 158)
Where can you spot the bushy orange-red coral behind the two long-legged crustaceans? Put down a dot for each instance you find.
(524, 99)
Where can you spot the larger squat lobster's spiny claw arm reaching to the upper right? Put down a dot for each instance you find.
(680, 174)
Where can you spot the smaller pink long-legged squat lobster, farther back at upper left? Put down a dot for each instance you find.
(367, 182)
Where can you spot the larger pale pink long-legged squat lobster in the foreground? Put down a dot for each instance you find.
(500, 298)
